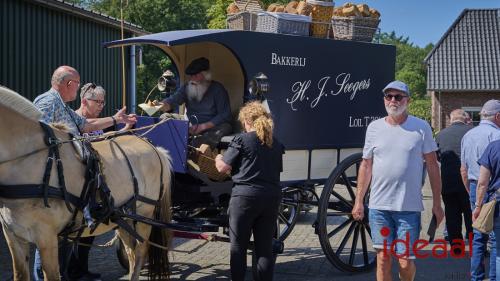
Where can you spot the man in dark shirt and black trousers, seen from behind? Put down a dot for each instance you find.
(455, 196)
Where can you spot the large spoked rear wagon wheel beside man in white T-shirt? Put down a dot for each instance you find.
(346, 243)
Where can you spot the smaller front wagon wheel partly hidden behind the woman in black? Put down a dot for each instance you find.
(289, 211)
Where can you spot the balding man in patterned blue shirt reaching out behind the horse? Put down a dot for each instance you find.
(65, 83)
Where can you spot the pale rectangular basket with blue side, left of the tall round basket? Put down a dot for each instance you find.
(283, 23)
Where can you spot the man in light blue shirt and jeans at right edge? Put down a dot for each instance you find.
(474, 143)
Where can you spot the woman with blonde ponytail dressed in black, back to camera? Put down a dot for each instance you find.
(255, 161)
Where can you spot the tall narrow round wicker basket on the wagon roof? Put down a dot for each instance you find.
(321, 17)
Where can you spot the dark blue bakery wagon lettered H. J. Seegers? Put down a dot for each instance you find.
(322, 94)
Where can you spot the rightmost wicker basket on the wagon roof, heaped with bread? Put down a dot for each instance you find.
(354, 28)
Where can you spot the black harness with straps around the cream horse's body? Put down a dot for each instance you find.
(95, 201)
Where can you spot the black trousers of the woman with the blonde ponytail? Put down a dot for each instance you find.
(257, 215)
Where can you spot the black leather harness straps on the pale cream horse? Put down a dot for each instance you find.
(45, 191)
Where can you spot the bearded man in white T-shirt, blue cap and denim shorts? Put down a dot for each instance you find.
(392, 166)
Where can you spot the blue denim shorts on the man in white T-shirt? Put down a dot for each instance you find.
(395, 230)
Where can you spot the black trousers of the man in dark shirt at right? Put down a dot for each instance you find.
(456, 205)
